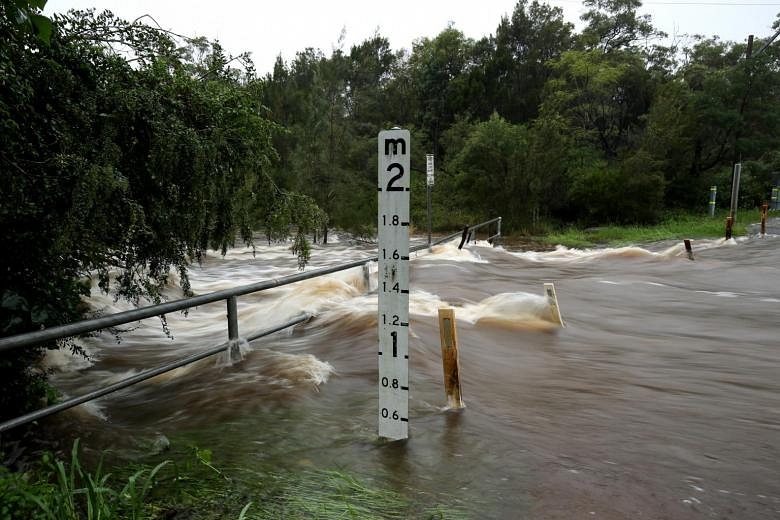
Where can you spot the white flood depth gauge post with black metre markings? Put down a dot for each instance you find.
(393, 283)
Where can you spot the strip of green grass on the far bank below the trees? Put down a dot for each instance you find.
(674, 228)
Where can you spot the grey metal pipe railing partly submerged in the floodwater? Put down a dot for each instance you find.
(122, 318)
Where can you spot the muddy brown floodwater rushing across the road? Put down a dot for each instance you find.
(659, 399)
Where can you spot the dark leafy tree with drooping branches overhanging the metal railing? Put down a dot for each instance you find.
(120, 169)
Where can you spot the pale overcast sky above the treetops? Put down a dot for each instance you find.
(284, 27)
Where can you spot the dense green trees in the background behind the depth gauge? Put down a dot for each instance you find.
(532, 123)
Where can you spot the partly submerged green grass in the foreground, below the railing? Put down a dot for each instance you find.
(194, 487)
